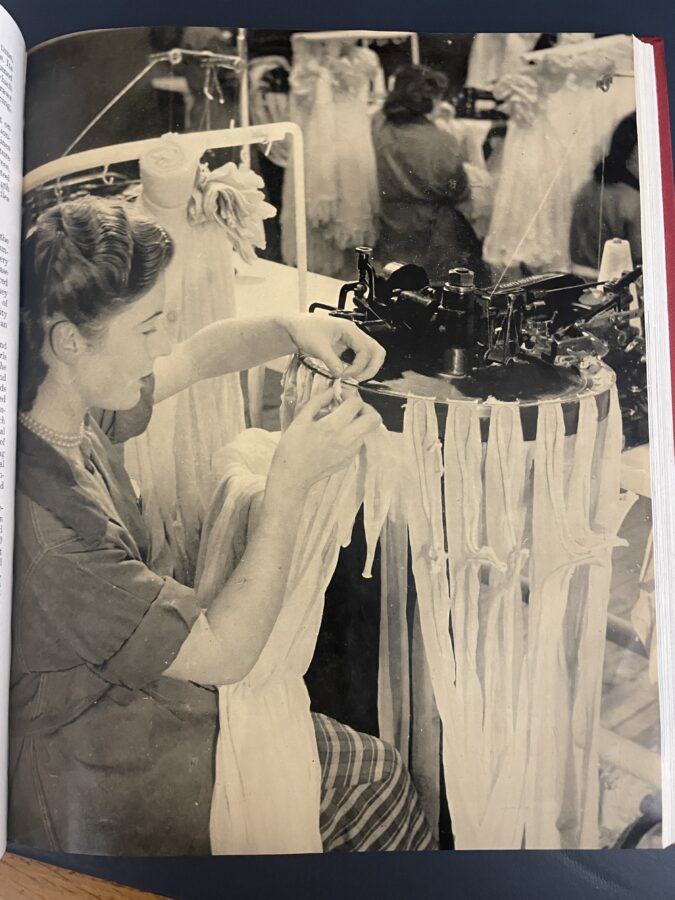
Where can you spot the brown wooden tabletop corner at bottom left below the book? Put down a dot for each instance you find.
(27, 879)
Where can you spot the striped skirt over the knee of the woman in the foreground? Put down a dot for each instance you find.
(368, 801)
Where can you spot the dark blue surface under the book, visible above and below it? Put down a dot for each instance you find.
(484, 876)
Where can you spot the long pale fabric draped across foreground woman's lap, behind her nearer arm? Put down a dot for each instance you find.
(266, 755)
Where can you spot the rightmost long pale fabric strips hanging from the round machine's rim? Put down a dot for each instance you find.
(577, 511)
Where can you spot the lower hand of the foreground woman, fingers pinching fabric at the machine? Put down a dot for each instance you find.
(319, 442)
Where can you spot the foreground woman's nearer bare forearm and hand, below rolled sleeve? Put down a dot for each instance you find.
(242, 616)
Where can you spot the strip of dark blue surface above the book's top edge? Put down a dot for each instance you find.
(41, 20)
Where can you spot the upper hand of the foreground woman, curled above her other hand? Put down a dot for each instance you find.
(328, 337)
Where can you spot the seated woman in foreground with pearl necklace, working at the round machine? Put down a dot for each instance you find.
(112, 738)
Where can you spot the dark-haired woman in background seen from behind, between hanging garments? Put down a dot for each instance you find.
(421, 180)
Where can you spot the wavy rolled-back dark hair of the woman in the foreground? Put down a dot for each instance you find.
(84, 259)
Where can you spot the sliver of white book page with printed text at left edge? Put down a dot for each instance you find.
(12, 77)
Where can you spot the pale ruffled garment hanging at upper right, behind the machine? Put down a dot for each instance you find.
(560, 126)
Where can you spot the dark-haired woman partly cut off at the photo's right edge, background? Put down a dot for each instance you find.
(610, 201)
